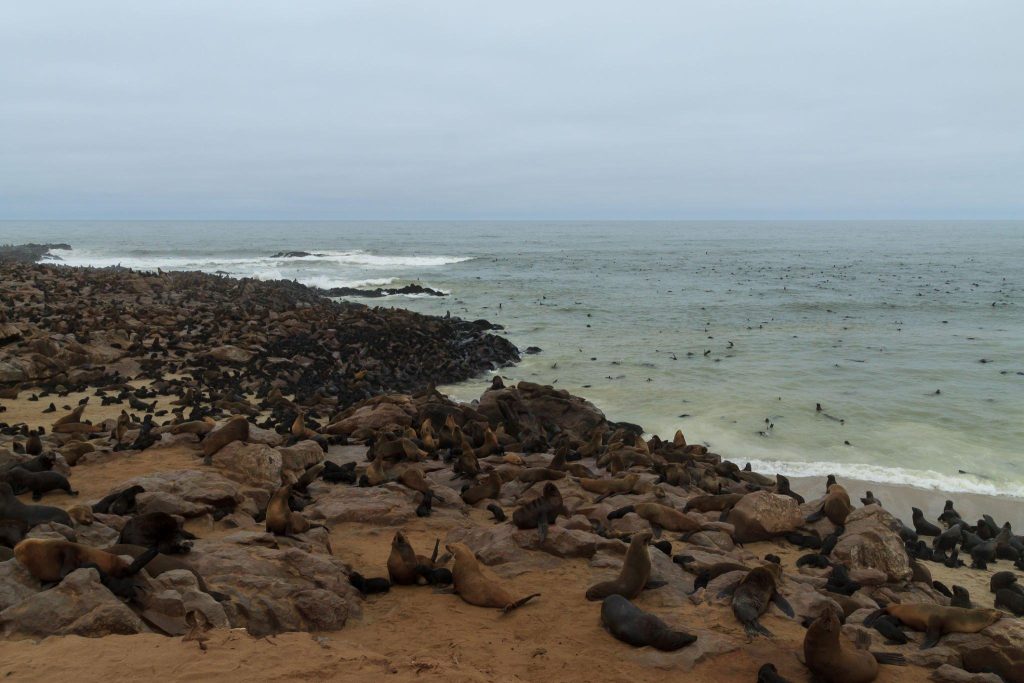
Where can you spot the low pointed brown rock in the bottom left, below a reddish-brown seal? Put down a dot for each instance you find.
(79, 606)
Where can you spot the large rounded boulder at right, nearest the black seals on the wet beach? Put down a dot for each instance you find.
(871, 541)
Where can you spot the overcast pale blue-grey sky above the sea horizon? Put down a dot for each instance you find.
(452, 110)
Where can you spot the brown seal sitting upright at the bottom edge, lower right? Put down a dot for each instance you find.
(833, 659)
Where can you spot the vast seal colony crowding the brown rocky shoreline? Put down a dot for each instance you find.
(245, 430)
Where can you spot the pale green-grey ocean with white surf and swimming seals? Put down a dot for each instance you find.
(910, 335)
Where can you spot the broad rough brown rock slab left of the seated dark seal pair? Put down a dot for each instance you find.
(278, 590)
